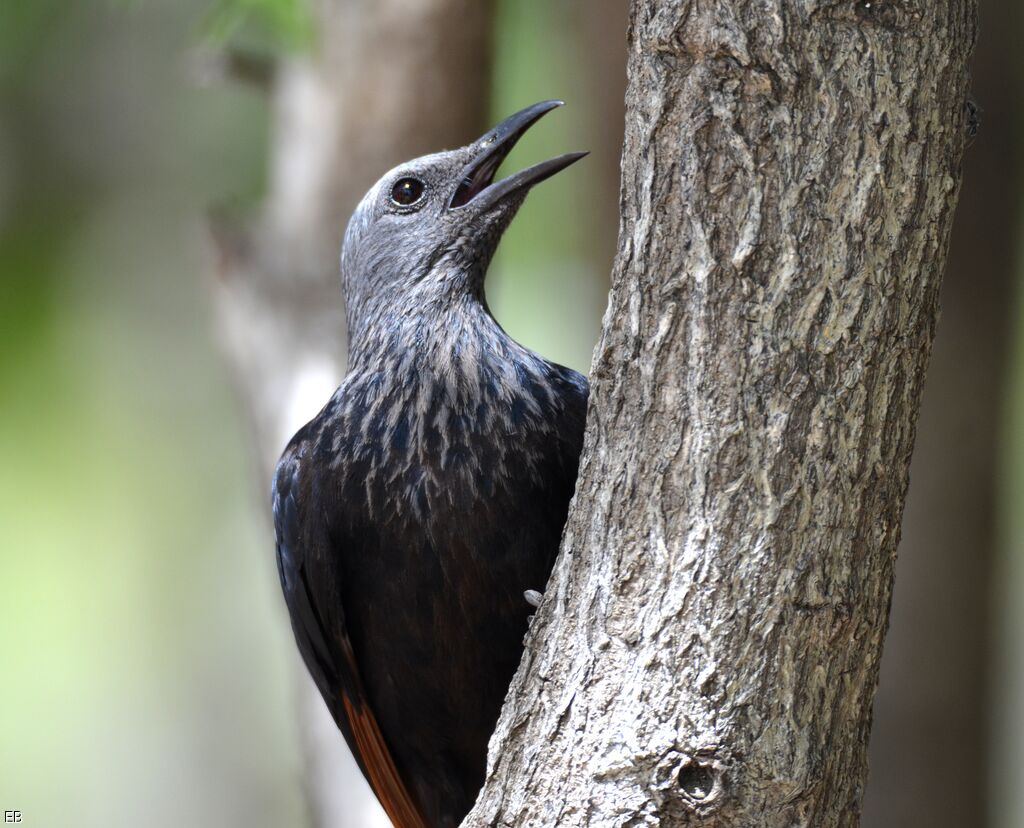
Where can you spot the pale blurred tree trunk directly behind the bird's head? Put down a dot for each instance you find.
(386, 81)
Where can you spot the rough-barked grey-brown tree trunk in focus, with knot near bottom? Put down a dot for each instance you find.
(709, 645)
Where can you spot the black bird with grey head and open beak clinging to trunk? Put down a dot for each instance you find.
(418, 515)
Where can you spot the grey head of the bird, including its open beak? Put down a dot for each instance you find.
(426, 232)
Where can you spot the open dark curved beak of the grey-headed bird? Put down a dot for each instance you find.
(478, 182)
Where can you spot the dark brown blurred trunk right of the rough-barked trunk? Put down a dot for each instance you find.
(930, 747)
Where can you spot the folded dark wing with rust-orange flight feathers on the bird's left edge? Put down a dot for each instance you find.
(318, 621)
